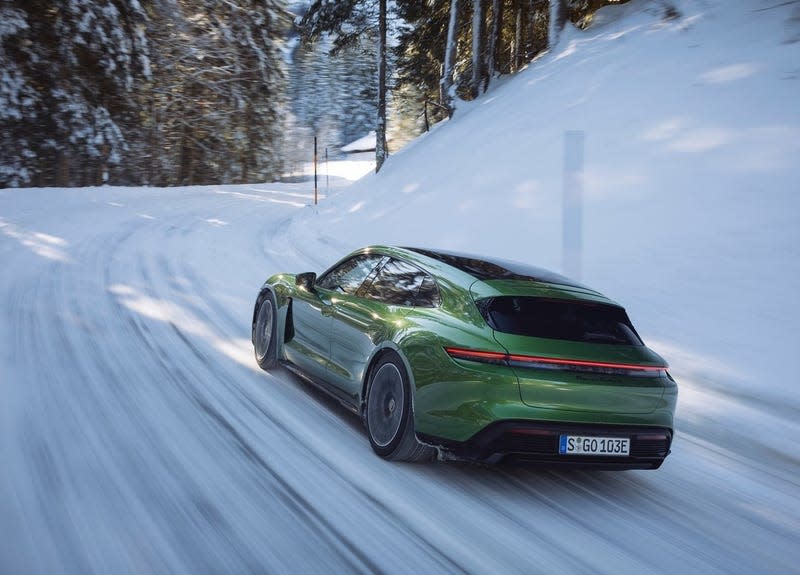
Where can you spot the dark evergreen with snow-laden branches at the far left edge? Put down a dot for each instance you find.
(68, 74)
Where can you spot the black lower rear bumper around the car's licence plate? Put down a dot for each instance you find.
(538, 442)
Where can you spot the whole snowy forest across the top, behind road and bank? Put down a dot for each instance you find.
(182, 92)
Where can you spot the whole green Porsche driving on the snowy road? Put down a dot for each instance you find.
(471, 357)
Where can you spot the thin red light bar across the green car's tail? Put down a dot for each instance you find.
(531, 361)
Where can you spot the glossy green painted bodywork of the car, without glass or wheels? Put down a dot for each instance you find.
(334, 337)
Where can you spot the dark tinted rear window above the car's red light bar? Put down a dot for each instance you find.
(559, 319)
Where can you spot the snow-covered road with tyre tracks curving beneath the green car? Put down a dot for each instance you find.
(138, 436)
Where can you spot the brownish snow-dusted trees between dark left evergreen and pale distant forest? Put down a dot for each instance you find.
(218, 103)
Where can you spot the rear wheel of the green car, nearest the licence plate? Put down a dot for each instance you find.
(389, 417)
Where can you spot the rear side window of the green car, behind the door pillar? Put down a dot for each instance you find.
(400, 283)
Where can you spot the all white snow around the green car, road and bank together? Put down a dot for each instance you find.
(137, 434)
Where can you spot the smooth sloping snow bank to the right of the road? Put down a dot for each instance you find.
(691, 213)
